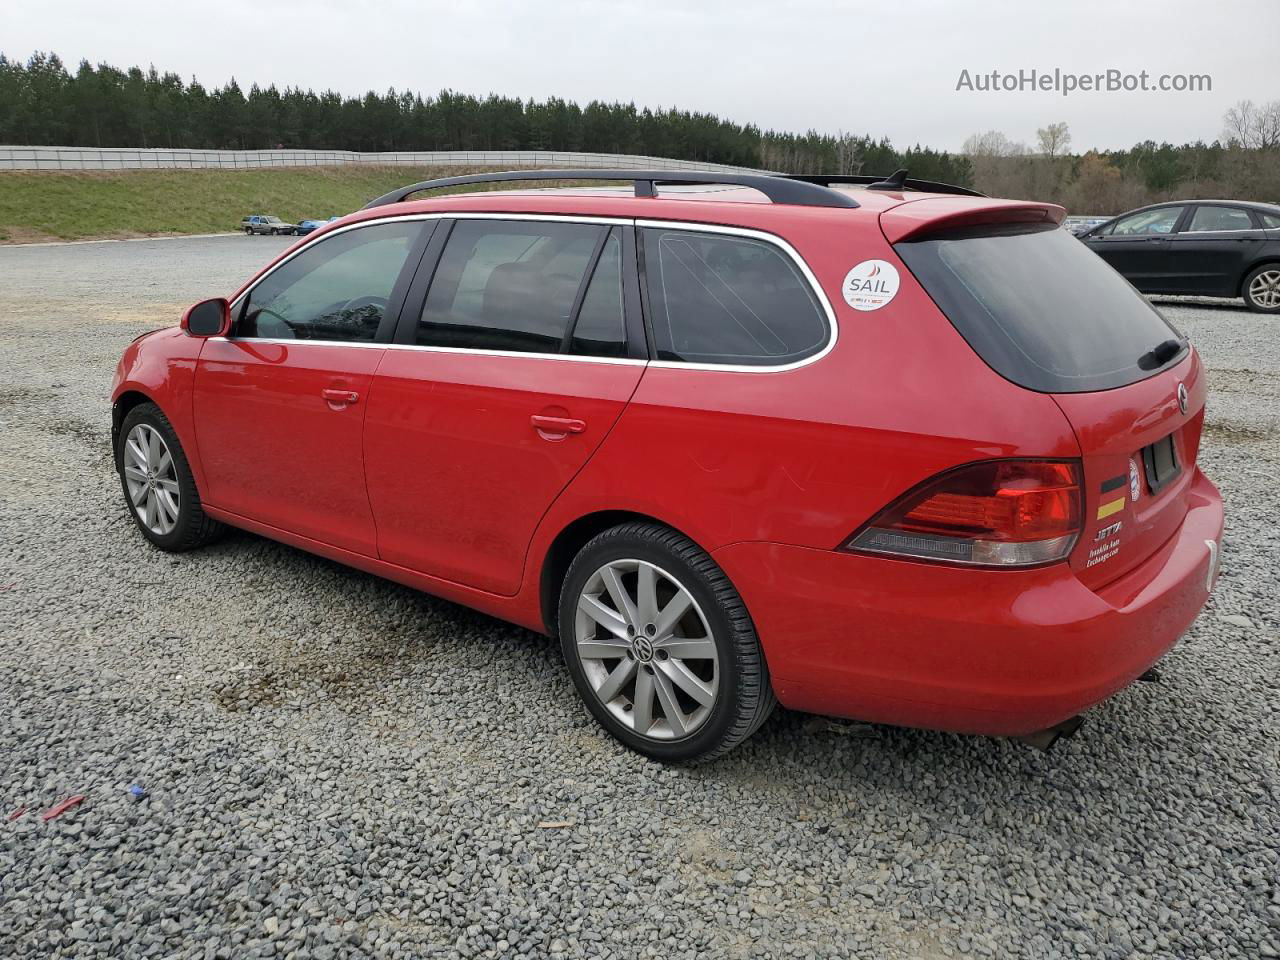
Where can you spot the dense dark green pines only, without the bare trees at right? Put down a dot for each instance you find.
(42, 103)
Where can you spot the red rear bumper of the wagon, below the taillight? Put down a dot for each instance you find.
(977, 652)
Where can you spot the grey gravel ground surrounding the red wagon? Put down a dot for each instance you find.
(336, 766)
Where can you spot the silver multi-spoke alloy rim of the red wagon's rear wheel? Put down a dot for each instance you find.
(647, 650)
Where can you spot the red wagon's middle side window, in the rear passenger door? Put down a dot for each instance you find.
(514, 286)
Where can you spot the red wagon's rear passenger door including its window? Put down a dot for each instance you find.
(518, 350)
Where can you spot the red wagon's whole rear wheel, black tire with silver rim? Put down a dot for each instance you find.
(696, 606)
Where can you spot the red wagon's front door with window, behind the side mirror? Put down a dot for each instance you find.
(280, 404)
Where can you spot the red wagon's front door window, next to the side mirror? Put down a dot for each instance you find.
(336, 290)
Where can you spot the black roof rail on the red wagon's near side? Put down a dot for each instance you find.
(781, 190)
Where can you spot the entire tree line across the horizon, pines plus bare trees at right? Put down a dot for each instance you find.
(43, 103)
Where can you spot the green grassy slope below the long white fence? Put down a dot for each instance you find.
(92, 204)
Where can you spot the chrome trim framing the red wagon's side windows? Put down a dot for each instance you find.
(634, 295)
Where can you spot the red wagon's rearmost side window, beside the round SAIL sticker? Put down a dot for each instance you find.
(719, 299)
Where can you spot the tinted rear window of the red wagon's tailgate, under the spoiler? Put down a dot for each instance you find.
(1041, 308)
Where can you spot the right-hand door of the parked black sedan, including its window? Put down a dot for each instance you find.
(1213, 252)
